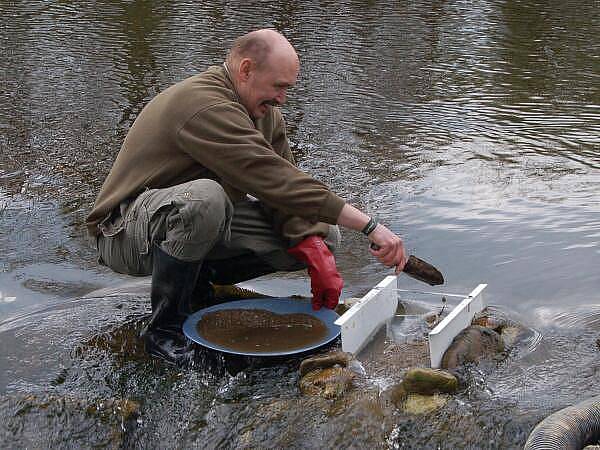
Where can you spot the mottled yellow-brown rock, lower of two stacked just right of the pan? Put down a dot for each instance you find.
(329, 383)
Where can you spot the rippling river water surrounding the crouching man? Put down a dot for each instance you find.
(470, 128)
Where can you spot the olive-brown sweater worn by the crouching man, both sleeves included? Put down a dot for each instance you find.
(198, 128)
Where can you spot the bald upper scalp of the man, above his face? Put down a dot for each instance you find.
(263, 47)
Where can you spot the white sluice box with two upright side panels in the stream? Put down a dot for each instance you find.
(360, 323)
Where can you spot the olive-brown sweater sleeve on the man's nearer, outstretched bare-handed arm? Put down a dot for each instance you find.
(223, 139)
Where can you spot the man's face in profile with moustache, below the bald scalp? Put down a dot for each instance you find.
(267, 86)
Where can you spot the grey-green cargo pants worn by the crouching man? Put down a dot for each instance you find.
(193, 221)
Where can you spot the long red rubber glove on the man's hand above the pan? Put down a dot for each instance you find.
(326, 282)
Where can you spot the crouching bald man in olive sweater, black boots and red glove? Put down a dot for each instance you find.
(176, 202)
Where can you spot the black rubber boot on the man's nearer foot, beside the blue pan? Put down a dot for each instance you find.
(172, 295)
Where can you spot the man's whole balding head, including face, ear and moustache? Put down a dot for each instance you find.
(262, 65)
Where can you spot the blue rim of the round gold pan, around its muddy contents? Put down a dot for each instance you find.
(273, 305)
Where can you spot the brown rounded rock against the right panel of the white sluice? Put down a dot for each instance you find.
(471, 345)
